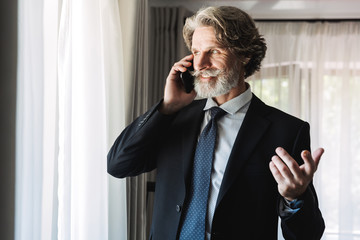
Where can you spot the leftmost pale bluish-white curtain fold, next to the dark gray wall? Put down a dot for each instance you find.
(29, 110)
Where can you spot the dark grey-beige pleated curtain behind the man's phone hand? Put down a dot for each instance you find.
(159, 45)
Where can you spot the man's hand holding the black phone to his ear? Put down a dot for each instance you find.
(175, 97)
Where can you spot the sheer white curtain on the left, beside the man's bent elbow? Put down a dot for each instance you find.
(70, 103)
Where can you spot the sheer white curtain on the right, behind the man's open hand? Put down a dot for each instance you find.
(312, 70)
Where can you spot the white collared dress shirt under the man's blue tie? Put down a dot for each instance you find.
(228, 128)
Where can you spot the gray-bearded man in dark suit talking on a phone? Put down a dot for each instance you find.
(235, 187)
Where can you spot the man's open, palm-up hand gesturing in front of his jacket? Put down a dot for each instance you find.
(293, 179)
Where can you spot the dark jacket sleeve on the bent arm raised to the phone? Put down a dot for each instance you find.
(134, 151)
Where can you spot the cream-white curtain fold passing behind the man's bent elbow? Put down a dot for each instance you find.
(116, 94)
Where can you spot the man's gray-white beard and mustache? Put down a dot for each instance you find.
(223, 83)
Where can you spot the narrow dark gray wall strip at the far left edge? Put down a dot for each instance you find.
(8, 58)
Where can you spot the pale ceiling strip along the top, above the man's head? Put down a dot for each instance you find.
(279, 9)
